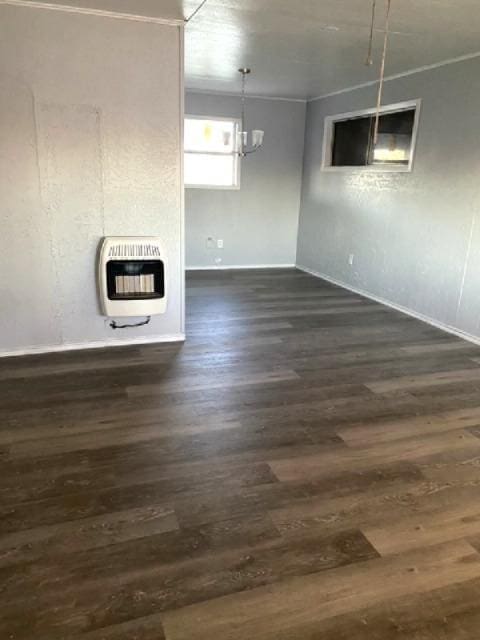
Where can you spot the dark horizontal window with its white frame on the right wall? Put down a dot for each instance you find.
(349, 139)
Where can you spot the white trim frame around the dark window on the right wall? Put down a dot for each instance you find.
(375, 168)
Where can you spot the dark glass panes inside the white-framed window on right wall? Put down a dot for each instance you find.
(353, 140)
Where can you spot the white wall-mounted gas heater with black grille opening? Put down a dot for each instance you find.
(132, 276)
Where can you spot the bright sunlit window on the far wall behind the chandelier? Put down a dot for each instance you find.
(211, 160)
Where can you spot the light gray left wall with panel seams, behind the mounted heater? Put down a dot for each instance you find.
(90, 115)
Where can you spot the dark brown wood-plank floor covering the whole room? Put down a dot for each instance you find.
(306, 466)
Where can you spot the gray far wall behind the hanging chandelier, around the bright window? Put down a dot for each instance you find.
(259, 222)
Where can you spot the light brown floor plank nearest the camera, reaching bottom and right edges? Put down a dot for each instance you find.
(292, 608)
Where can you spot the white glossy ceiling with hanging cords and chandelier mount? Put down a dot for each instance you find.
(306, 48)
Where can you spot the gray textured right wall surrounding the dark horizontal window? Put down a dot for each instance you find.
(415, 236)
